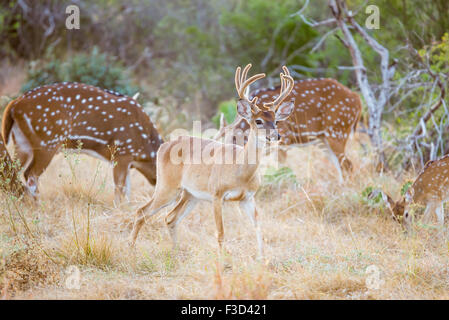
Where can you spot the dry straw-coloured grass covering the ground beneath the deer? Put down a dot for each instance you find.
(319, 239)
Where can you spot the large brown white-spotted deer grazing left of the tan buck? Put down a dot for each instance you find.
(110, 126)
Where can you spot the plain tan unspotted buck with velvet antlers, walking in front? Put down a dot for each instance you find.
(216, 180)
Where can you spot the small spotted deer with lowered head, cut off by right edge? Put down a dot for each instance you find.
(431, 189)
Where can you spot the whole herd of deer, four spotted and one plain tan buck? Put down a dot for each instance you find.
(115, 128)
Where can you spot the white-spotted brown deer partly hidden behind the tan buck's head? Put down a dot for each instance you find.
(325, 111)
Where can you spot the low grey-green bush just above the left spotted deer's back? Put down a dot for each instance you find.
(94, 68)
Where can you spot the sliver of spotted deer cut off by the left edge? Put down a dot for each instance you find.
(9, 180)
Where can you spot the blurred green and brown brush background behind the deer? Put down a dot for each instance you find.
(181, 54)
